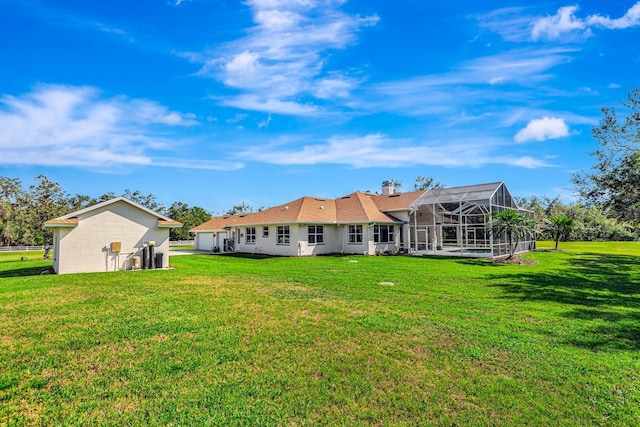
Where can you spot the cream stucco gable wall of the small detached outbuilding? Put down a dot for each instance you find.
(86, 248)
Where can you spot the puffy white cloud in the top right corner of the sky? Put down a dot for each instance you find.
(565, 22)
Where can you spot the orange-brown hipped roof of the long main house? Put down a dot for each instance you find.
(353, 208)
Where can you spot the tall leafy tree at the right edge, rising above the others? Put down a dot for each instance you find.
(614, 182)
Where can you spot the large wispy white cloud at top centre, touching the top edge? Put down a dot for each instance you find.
(285, 56)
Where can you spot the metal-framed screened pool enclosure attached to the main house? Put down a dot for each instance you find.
(455, 221)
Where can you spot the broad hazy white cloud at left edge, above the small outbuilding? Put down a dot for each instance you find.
(73, 126)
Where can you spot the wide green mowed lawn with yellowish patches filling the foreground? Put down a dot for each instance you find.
(344, 340)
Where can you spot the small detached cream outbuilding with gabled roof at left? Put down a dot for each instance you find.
(110, 236)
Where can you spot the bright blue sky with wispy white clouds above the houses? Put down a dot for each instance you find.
(215, 102)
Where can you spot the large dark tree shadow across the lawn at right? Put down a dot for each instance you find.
(601, 290)
